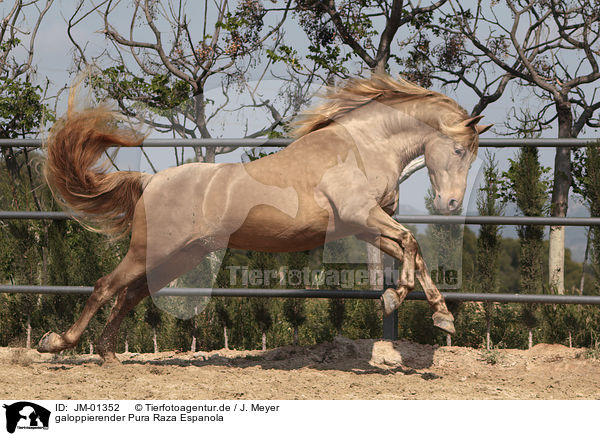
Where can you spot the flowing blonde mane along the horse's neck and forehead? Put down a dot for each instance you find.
(357, 92)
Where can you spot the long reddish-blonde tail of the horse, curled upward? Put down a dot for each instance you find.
(103, 201)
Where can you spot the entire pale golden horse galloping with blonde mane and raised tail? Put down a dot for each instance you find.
(339, 178)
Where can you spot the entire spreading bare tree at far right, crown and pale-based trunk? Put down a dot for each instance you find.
(550, 49)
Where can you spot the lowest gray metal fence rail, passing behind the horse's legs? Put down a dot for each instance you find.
(317, 293)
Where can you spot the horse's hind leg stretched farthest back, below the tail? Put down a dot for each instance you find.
(130, 269)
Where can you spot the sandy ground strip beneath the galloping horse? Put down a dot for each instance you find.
(344, 369)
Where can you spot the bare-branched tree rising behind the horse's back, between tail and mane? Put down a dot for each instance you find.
(167, 61)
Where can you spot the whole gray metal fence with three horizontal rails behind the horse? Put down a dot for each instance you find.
(390, 323)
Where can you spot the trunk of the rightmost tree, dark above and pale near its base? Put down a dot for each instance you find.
(560, 198)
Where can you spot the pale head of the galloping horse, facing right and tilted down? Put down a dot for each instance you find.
(448, 156)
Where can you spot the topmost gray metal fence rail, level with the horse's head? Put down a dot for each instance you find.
(282, 142)
